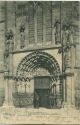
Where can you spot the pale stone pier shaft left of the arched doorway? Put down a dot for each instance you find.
(9, 83)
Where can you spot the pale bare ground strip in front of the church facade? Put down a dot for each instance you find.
(11, 115)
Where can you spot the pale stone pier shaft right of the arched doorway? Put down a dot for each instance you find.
(70, 80)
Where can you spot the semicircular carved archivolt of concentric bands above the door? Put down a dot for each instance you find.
(36, 62)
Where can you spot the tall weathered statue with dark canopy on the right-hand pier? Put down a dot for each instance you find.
(67, 38)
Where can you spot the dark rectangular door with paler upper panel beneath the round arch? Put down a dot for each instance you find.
(41, 91)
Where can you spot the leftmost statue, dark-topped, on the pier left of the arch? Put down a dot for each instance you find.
(9, 40)
